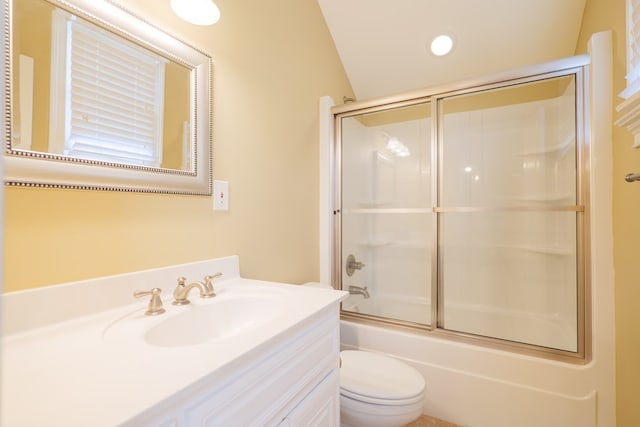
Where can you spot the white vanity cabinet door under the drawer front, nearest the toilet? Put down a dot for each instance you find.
(320, 408)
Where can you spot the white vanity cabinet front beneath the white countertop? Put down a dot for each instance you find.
(291, 380)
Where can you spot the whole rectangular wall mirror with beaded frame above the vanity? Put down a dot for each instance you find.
(97, 98)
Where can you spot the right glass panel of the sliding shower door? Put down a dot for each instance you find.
(509, 214)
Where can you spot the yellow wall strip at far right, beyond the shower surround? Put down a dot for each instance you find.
(603, 15)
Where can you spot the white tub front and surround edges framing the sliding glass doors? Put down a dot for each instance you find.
(478, 386)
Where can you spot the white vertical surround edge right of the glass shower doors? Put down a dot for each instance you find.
(601, 222)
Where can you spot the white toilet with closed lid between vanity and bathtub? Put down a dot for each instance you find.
(377, 390)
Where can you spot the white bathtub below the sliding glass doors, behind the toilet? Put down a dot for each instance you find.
(476, 386)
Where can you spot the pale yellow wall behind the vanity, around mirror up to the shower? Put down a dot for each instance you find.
(272, 60)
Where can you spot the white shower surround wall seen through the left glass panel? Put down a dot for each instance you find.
(393, 247)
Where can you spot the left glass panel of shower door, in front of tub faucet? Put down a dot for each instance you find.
(386, 213)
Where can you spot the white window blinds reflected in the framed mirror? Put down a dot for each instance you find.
(115, 104)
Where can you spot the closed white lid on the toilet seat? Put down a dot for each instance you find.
(378, 376)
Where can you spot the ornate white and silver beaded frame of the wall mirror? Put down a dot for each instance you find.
(38, 169)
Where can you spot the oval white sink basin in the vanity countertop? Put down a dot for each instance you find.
(201, 323)
